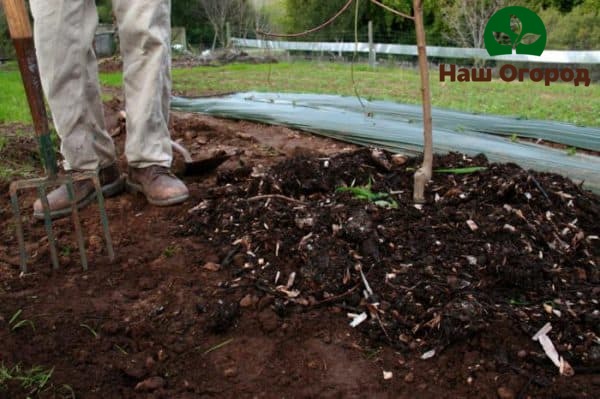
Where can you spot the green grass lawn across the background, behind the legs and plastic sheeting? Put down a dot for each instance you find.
(559, 101)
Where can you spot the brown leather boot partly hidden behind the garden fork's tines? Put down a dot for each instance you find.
(110, 179)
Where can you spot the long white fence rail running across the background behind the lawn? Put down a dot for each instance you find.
(549, 56)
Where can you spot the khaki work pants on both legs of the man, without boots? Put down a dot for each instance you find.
(64, 34)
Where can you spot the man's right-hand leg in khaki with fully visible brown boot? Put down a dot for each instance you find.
(145, 39)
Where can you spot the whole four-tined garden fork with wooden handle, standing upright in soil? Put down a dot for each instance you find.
(21, 33)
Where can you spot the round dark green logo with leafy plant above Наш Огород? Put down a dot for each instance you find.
(515, 28)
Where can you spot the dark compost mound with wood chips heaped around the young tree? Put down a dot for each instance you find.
(499, 243)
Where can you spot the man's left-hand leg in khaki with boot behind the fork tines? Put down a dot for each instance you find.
(64, 32)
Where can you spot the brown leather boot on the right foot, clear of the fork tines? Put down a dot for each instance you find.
(158, 184)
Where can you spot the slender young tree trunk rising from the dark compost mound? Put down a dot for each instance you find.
(423, 174)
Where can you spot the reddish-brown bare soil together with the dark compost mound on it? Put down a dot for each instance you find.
(245, 290)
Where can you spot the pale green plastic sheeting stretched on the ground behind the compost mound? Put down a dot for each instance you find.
(398, 128)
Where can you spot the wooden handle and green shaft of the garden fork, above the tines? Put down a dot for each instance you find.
(22, 35)
